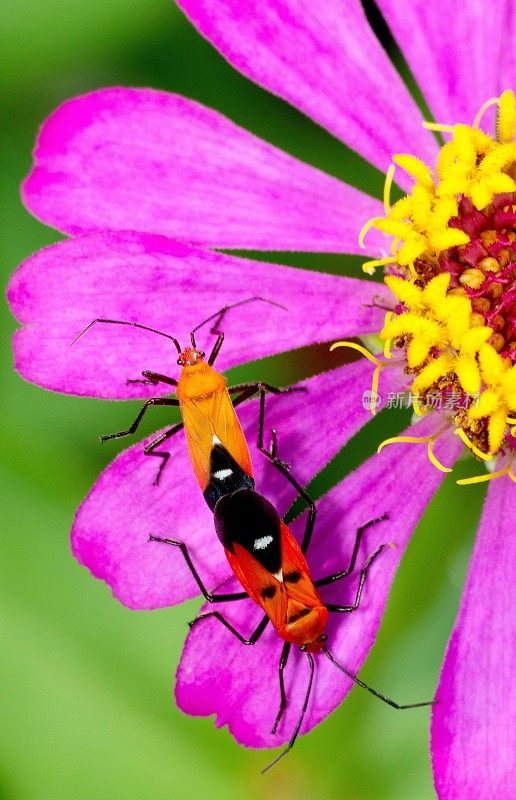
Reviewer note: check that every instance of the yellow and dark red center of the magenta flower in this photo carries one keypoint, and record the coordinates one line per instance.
(452, 272)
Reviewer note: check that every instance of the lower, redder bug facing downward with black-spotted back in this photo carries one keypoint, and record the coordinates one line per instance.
(272, 568)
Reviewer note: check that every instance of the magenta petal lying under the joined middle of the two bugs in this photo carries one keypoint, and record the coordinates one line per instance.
(111, 531)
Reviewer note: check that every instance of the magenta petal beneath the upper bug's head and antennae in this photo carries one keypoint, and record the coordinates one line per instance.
(170, 286)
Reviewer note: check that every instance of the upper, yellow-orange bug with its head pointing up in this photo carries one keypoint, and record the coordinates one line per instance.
(216, 444)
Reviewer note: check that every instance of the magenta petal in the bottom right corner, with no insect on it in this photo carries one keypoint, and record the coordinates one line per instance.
(474, 723)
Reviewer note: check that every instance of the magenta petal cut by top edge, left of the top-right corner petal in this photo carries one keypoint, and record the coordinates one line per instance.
(324, 59)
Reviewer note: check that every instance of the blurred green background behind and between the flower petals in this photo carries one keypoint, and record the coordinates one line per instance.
(86, 685)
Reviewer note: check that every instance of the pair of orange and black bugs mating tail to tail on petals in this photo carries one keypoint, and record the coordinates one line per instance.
(261, 550)
